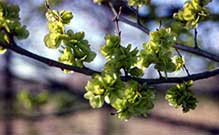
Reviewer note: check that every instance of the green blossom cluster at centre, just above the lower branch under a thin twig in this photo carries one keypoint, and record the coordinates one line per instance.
(119, 57)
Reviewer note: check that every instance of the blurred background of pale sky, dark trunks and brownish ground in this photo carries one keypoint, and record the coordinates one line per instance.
(36, 99)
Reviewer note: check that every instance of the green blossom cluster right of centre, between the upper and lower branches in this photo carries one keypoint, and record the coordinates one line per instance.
(158, 51)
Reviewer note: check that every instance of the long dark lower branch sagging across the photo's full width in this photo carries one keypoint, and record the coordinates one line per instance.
(88, 71)
